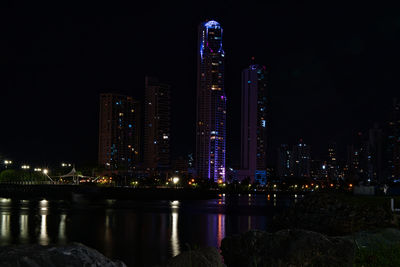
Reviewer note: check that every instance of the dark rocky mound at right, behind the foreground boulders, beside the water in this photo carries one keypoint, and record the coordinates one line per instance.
(336, 214)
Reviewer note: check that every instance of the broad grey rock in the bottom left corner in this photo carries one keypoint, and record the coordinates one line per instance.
(72, 255)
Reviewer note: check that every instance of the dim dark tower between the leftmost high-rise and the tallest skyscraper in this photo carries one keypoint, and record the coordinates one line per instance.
(157, 126)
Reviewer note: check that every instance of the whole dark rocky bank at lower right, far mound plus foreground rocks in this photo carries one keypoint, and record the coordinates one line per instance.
(320, 230)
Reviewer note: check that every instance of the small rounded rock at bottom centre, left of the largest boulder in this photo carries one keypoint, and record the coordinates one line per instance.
(202, 257)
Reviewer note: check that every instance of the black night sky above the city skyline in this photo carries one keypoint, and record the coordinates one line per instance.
(333, 69)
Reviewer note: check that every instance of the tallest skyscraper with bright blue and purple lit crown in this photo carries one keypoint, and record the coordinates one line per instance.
(211, 104)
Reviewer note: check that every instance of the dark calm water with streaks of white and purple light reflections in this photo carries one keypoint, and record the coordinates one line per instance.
(140, 233)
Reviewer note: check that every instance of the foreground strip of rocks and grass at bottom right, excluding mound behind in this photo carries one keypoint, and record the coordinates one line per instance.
(298, 248)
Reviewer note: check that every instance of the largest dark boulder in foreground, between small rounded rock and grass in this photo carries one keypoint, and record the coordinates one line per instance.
(287, 248)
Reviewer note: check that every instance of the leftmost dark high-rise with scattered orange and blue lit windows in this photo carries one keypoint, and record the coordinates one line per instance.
(119, 132)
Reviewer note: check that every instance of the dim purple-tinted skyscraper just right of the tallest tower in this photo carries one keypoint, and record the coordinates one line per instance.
(253, 123)
